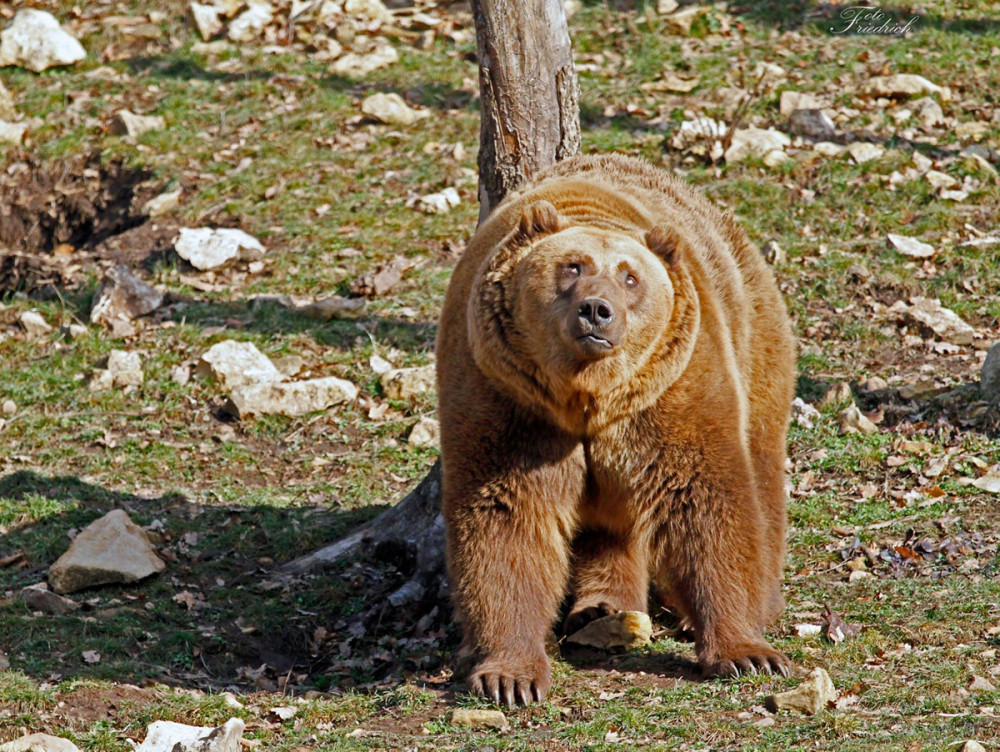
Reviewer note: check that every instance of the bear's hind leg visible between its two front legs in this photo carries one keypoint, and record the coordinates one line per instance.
(610, 574)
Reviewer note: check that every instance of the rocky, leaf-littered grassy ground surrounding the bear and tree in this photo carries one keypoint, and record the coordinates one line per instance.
(225, 234)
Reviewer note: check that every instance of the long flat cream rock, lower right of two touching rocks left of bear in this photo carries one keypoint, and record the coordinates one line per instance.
(291, 398)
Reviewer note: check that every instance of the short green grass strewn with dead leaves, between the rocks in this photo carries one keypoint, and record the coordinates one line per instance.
(231, 500)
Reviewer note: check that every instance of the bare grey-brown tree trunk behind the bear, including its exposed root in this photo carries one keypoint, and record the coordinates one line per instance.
(530, 101)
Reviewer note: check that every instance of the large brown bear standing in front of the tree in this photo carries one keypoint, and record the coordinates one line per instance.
(615, 373)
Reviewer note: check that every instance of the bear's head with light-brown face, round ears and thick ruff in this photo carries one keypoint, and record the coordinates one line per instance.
(582, 321)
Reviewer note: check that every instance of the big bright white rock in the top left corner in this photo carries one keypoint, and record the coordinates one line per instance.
(34, 40)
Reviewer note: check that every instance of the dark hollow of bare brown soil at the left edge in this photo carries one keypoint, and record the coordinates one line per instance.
(57, 218)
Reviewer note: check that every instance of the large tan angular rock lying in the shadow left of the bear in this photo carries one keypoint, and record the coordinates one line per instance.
(109, 550)
